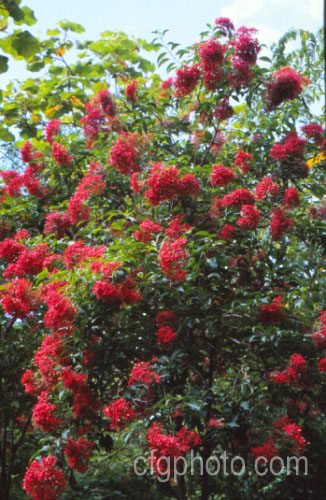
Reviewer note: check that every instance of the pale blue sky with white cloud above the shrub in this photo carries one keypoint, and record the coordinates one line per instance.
(184, 18)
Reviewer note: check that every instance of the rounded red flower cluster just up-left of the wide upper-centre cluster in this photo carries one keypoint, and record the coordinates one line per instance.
(124, 153)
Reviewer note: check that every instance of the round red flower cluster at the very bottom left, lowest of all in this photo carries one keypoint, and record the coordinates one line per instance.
(43, 480)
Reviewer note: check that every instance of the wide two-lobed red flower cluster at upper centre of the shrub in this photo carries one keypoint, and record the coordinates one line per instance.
(166, 183)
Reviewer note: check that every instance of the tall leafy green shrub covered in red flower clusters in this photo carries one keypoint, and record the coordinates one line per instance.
(162, 247)
